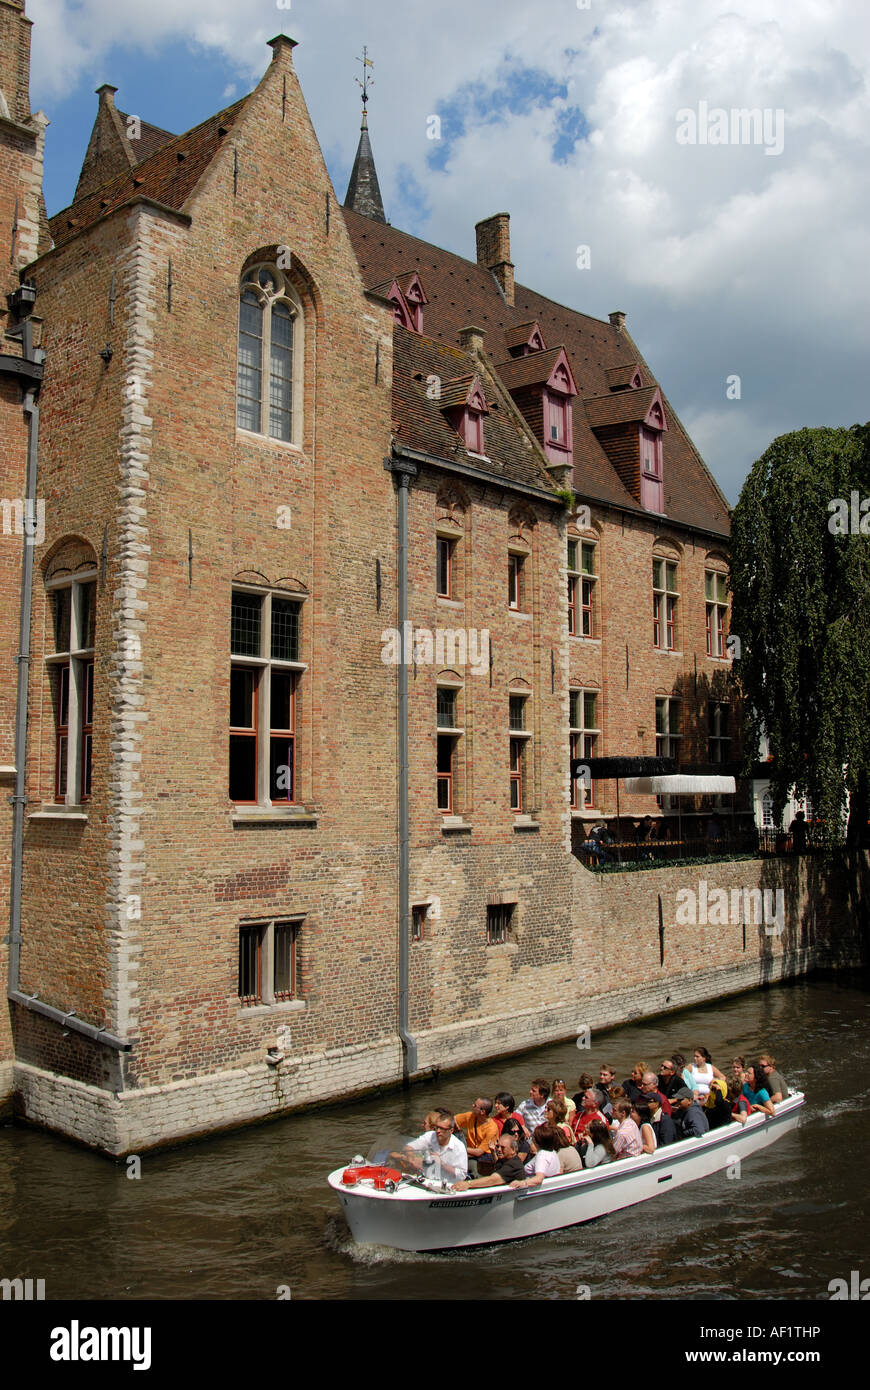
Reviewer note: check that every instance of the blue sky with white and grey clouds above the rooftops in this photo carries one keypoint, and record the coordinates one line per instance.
(744, 255)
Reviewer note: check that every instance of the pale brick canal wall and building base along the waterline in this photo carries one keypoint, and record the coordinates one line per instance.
(616, 976)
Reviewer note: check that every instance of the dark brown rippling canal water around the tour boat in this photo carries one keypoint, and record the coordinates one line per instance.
(245, 1214)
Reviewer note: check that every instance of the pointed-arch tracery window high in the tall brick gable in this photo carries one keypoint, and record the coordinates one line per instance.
(270, 363)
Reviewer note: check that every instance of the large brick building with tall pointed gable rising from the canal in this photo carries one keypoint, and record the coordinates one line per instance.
(279, 437)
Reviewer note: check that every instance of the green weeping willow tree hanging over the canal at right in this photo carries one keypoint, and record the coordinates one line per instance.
(801, 584)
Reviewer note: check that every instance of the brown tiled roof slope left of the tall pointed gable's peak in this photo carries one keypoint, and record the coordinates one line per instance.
(169, 176)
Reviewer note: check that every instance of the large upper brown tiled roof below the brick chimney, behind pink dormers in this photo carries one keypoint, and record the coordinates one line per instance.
(462, 293)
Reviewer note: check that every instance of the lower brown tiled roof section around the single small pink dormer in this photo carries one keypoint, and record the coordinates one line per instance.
(420, 422)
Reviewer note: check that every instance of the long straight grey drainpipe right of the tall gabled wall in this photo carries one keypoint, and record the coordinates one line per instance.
(404, 472)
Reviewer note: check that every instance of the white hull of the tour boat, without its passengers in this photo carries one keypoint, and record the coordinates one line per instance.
(384, 1207)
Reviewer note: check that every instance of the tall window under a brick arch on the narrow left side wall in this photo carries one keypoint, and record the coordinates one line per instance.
(70, 664)
